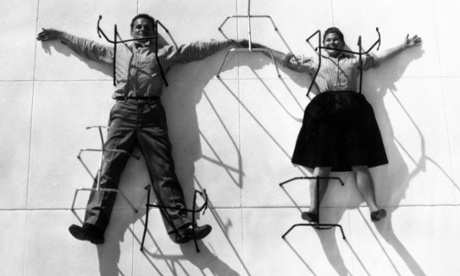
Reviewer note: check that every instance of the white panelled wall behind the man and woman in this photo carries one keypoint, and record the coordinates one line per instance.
(232, 136)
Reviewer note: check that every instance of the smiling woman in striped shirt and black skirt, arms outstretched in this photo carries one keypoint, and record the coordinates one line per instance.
(339, 131)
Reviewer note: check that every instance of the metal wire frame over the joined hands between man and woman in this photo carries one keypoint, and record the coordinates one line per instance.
(249, 49)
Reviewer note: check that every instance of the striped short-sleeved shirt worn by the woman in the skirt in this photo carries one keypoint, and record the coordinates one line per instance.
(335, 74)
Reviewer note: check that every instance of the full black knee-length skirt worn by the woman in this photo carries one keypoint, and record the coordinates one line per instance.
(339, 130)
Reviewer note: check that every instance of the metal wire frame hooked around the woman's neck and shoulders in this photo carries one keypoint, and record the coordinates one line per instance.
(360, 53)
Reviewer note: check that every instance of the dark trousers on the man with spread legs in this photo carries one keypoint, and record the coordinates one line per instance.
(143, 123)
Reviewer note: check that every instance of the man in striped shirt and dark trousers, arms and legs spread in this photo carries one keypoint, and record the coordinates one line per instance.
(138, 118)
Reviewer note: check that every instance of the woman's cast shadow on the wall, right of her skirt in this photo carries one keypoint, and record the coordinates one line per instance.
(392, 180)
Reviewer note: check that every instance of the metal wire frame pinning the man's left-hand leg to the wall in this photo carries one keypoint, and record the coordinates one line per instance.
(98, 174)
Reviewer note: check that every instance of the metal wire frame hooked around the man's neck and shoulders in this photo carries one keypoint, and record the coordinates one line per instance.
(115, 42)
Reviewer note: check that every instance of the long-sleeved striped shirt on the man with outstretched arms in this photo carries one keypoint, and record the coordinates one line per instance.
(137, 71)
